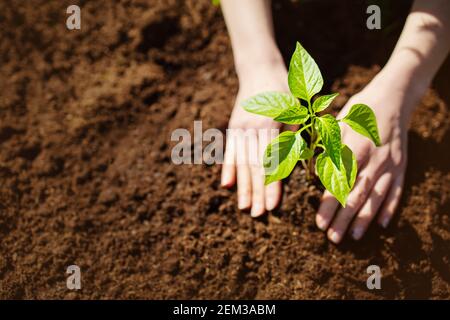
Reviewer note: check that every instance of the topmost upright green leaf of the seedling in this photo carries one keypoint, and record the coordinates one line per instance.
(304, 77)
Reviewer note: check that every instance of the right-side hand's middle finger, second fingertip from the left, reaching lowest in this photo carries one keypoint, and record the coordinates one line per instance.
(355, 200)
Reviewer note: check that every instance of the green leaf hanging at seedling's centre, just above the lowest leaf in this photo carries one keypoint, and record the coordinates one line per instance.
(330, 133)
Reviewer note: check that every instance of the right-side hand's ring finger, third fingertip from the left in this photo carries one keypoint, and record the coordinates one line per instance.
(370, 207)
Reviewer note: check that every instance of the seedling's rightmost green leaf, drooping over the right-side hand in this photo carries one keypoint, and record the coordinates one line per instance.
(362, 119)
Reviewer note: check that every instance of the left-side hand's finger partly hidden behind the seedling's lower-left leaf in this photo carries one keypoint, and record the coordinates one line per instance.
(272, 191)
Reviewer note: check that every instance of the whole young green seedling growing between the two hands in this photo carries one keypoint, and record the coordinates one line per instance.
(335, 164)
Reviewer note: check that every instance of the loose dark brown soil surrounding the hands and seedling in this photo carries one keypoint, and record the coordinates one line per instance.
(86, 176)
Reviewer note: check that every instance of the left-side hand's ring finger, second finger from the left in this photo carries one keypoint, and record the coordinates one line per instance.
(243, 174)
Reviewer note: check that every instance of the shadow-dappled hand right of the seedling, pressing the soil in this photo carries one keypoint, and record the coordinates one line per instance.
(381, 170)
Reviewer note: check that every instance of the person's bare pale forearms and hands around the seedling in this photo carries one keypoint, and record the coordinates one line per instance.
(393, 95)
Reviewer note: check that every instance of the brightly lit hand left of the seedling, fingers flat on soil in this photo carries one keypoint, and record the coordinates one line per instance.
(239, 165)
